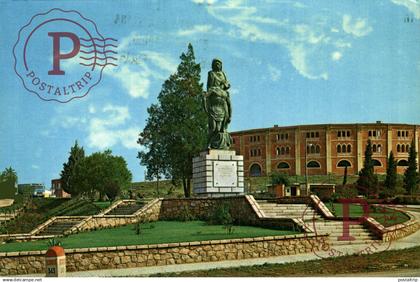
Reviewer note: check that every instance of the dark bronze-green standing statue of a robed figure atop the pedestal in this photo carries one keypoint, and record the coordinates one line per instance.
(218, 107)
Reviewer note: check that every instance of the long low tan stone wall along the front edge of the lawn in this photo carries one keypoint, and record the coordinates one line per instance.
(163, 254)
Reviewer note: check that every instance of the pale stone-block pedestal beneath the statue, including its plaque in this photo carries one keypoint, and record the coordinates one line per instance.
(218, 173)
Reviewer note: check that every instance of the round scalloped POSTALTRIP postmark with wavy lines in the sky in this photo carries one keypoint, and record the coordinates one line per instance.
(60, 55)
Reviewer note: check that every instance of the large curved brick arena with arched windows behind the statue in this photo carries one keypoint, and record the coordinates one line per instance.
(323, 149)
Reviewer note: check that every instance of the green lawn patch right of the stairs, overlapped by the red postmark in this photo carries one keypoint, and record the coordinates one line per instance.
(385, 216)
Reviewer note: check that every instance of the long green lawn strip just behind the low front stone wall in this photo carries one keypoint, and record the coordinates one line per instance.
(151, 233)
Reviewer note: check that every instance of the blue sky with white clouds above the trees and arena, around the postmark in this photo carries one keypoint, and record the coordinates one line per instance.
(289, 63)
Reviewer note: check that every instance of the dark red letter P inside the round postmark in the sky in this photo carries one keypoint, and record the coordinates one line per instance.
(57, 56)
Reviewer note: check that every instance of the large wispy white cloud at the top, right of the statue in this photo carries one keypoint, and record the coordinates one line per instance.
(308, 44)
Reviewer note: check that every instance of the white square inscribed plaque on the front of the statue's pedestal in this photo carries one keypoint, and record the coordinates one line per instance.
(225, 174)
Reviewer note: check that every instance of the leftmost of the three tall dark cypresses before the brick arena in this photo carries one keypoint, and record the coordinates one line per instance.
(368, 181)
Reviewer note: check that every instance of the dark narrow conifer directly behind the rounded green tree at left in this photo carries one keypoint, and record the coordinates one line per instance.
(77, 154)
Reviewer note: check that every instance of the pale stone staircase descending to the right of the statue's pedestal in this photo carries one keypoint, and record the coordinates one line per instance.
(317, 223)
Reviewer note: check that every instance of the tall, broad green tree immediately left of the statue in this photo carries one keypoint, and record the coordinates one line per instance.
(176, 129)
